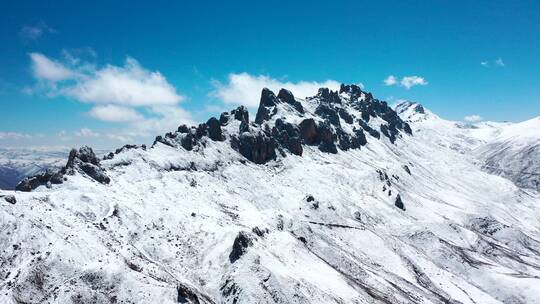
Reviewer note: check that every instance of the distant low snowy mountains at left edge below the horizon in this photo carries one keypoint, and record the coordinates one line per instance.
(17, 163)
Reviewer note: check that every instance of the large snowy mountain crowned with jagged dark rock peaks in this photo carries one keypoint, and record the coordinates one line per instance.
(333, 199)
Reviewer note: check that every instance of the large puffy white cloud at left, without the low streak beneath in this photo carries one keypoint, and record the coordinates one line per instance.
(129, 85)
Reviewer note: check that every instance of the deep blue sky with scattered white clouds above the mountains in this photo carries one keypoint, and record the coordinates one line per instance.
(107, 73)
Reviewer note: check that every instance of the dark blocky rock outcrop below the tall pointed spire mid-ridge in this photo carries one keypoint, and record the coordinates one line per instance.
(258, 148)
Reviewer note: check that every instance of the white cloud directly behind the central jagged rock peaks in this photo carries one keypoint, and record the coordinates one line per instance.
(245, 89)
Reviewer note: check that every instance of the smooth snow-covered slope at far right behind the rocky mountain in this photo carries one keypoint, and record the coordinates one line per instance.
(511, 150)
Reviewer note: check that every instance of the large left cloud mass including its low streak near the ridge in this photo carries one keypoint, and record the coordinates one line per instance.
(118, 92)
